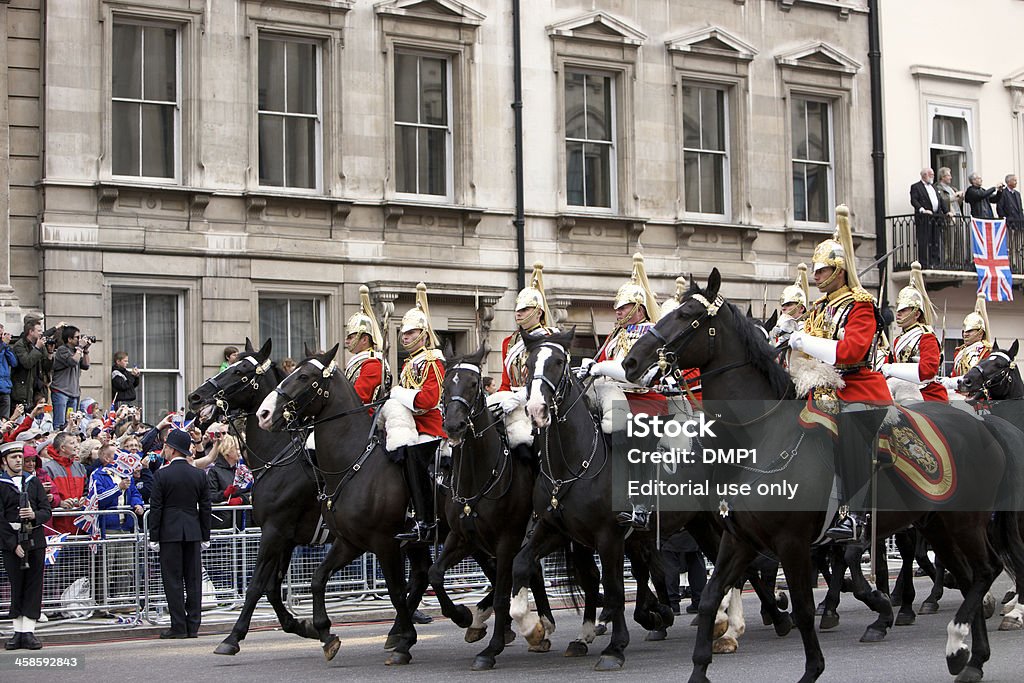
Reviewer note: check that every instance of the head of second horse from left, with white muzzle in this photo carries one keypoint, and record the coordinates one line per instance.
(301, 396)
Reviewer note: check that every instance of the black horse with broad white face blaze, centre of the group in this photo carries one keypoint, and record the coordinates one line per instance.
(573, 503)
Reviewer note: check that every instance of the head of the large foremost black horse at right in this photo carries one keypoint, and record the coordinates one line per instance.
(676, 340)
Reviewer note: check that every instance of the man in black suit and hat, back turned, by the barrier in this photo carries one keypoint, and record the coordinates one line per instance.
(180, 527)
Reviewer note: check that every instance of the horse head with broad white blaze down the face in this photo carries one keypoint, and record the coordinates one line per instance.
(548, 374)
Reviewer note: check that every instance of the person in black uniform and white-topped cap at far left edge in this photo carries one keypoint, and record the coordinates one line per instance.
(25, 509)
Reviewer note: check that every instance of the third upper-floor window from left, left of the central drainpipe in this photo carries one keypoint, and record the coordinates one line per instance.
(422, 124)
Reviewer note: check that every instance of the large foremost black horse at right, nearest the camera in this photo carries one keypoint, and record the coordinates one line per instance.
(737, 364)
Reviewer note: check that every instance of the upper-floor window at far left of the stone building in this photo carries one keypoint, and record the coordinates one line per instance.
(145, 101)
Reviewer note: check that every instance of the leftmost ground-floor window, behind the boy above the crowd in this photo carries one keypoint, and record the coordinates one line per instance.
(148, 327)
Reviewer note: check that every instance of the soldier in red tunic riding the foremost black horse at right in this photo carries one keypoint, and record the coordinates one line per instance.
(842, 331)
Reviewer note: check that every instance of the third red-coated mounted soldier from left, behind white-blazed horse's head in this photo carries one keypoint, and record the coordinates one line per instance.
(533, 318)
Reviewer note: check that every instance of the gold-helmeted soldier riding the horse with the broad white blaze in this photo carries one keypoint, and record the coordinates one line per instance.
(636, 314)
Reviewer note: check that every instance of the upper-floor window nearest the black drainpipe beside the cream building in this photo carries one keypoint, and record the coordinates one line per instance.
(813, 161)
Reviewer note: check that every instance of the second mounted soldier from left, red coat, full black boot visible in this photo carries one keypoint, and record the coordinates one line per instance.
(413, 418)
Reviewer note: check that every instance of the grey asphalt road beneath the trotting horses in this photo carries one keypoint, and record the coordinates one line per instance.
(910, 655)
